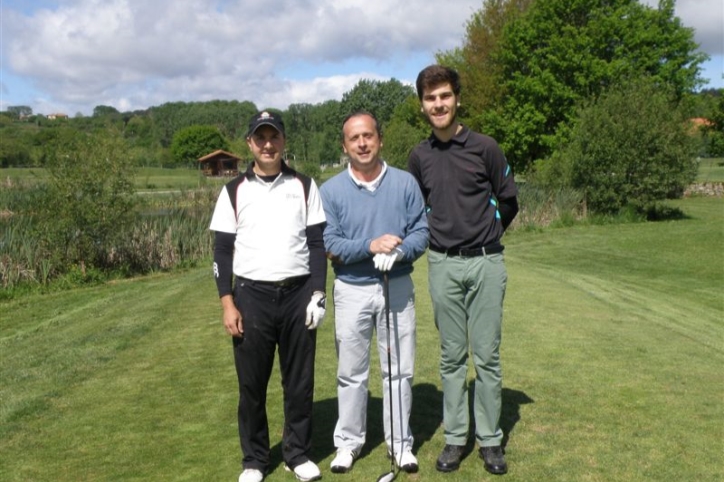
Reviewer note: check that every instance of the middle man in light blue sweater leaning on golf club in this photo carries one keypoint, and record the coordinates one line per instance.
(376, 223)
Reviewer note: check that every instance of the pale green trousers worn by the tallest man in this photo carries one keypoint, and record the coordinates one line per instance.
(467, 296)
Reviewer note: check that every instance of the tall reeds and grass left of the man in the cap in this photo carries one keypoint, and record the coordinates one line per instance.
(168, 232)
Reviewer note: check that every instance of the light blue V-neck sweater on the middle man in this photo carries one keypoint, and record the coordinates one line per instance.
(356, 216)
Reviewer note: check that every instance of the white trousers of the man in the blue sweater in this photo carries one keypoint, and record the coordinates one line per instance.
(360, 310)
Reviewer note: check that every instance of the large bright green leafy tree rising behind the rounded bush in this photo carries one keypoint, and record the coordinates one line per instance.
(559, 53)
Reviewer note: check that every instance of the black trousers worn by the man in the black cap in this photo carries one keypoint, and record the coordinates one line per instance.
(274, 316)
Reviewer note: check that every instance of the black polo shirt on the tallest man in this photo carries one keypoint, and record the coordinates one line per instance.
(463, 181)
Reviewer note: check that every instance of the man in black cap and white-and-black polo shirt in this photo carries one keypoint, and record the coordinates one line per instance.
(269, 223)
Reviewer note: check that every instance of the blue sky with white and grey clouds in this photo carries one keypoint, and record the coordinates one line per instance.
(70, 56)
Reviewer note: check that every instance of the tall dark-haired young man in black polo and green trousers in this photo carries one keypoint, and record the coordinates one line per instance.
(471, 199)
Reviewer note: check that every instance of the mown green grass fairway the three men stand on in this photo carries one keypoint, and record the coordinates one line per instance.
(612, 353)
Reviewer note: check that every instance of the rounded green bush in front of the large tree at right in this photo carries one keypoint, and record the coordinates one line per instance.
(633, 146)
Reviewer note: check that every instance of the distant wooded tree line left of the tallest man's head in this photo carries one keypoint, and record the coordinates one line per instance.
(176, 134)
